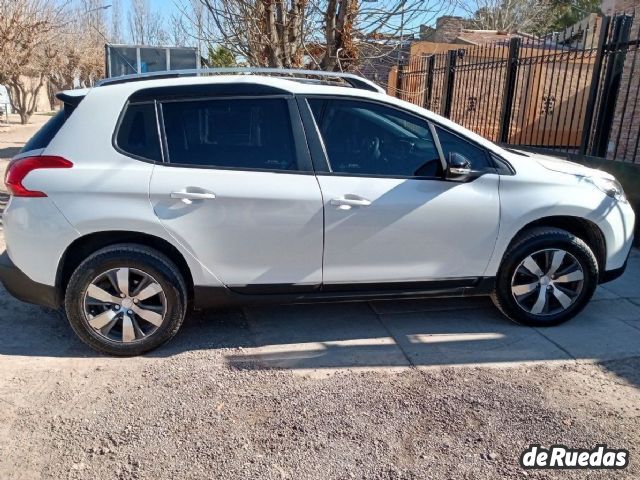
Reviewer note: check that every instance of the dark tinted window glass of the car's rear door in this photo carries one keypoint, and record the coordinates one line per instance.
(235, 133)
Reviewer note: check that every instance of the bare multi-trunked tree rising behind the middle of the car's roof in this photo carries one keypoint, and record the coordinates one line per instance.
(317, 33)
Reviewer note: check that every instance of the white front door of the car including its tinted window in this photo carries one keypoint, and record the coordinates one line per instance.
(390, 214)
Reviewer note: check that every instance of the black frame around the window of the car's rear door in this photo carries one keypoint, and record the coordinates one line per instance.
(301, 152)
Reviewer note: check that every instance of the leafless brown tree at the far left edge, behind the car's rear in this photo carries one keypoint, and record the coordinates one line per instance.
(27, 31)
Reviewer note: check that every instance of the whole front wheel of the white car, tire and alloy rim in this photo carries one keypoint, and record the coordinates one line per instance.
(546, 278)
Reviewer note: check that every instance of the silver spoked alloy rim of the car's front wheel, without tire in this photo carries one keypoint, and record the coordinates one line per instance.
(547, 282)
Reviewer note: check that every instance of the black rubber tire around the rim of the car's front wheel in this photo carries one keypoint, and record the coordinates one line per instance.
(536, 240)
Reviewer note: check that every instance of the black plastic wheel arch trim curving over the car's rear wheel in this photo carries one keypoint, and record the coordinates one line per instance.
(84, 246)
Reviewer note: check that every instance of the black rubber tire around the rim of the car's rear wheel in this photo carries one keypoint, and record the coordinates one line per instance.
(143, 259)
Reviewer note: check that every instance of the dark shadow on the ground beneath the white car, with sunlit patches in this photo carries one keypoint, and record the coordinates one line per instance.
(356, 336)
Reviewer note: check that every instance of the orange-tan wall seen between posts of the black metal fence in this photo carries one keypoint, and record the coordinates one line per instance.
(549, 99)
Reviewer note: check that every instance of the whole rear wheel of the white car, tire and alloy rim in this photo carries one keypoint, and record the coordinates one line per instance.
(126, 300)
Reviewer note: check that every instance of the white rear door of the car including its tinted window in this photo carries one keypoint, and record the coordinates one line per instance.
(237, 189)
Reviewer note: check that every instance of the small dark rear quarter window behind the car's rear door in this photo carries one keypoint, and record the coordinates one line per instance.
(138, 132)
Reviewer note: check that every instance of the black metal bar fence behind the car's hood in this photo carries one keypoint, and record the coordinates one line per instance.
(577, 91)
